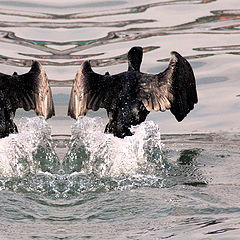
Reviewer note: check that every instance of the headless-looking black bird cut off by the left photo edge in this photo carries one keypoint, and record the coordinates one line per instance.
(28, 91)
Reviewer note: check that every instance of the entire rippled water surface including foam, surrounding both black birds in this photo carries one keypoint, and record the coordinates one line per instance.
(67, 180)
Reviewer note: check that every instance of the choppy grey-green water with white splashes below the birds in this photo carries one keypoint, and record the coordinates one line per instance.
(78, 192)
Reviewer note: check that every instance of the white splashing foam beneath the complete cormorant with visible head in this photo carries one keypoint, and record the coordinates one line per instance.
(109, 156)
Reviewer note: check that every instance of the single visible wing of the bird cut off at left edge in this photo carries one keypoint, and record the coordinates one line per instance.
(28, 91)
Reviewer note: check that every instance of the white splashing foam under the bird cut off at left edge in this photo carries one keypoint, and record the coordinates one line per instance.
(16, 150)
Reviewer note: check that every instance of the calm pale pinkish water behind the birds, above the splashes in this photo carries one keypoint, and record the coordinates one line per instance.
(61, 40)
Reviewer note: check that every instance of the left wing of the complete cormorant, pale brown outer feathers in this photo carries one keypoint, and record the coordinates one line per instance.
(92, 91)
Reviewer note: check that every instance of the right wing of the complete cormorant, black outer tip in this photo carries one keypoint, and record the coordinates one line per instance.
(173, 89)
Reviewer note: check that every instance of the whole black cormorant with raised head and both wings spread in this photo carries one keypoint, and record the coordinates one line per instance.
(129, 96)
